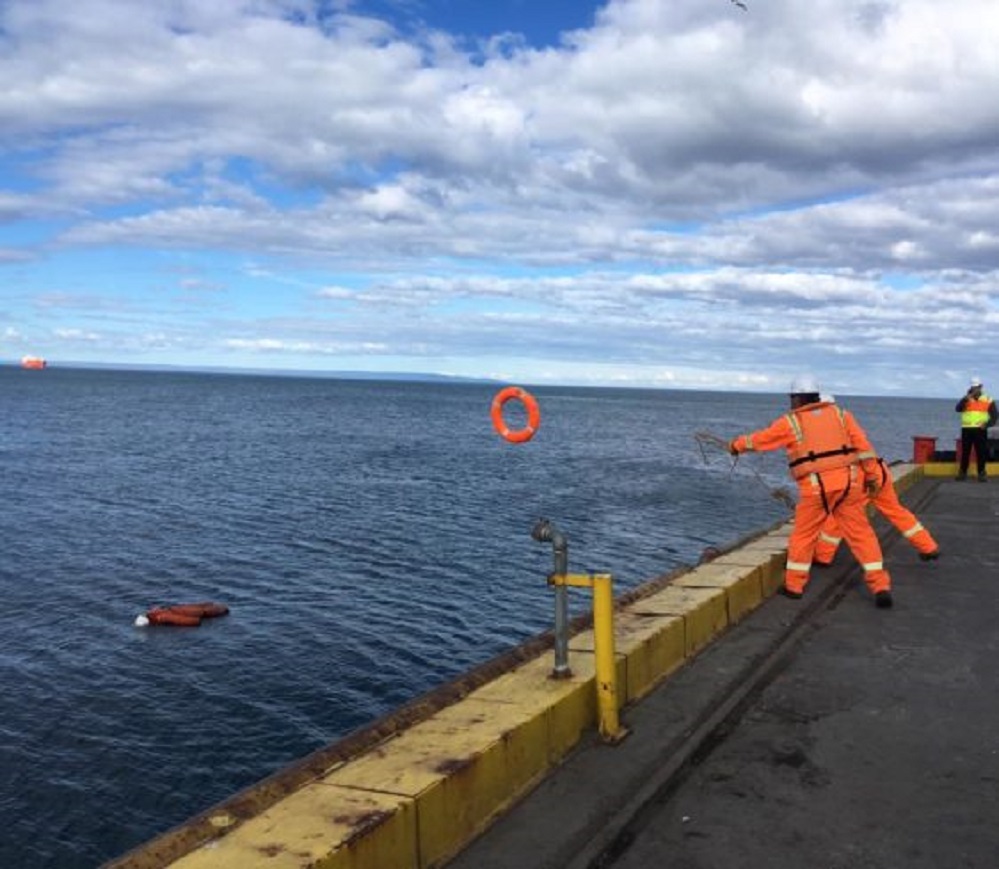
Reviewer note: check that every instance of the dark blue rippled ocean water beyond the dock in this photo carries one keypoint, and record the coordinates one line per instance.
(372, 540)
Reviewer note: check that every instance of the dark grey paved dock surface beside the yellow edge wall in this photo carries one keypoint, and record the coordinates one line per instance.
(816, 733)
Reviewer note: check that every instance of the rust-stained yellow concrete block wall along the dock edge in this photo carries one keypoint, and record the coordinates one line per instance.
(417, 798)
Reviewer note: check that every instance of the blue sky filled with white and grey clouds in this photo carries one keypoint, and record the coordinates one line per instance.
(688, 194)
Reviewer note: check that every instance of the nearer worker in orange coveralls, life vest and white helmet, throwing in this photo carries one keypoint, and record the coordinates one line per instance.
(836, 469)
